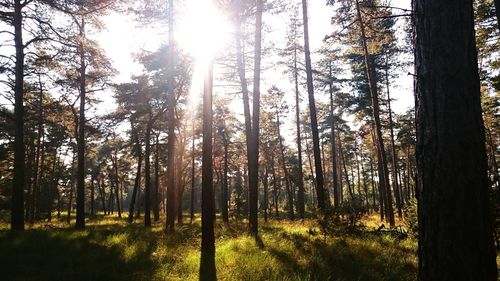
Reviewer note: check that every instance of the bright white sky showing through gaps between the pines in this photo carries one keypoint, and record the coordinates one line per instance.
(122, 38)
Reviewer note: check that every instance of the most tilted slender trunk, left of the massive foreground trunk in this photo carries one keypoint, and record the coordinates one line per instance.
(382, 159)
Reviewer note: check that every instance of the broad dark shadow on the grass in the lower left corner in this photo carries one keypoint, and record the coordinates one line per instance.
(69, 255)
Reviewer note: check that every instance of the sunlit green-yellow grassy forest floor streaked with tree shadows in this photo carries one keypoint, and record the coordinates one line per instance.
(110, 249)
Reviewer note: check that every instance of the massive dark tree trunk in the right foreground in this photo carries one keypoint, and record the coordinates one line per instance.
(455, 228)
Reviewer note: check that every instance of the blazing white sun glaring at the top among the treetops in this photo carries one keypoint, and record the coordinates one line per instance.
(202, 29)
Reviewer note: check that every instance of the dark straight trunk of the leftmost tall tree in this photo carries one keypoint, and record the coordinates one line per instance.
(18, 182)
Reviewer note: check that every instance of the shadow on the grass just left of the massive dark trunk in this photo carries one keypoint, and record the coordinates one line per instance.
(359, 258)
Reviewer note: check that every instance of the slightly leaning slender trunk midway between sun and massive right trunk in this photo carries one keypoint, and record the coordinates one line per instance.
(320, 193)
